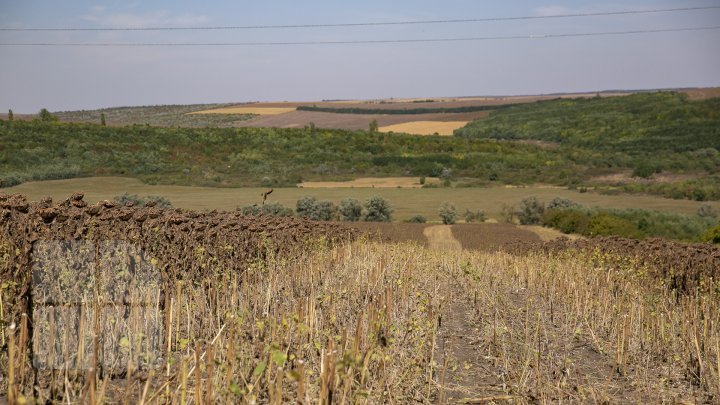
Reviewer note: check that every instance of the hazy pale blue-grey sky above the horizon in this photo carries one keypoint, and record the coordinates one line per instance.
(72, 78)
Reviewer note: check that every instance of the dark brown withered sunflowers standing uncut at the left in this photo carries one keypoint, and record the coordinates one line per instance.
(185, 244)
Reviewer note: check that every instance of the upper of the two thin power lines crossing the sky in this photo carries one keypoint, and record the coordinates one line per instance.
(373, 24)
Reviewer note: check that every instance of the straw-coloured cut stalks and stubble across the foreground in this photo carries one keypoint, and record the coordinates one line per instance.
(374, 323)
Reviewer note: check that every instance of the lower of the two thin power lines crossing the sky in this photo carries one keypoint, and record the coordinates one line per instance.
(378, 41)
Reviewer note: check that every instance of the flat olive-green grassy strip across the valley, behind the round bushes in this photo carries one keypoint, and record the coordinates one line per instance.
(407, 202)
